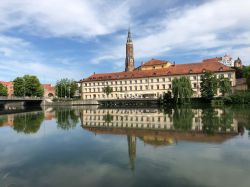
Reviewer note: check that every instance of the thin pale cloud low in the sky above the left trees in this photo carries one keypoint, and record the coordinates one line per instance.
(18, 57)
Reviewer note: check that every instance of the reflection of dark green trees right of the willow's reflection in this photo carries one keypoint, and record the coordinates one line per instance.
(212, 122)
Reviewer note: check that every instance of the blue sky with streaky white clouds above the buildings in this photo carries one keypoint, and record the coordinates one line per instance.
(56, 39)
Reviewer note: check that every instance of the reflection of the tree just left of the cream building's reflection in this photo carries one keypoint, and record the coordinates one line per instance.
(66, 119)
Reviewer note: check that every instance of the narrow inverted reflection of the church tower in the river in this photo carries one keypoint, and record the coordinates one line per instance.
(132, 150)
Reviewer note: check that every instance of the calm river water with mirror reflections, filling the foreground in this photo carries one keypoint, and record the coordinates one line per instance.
(126, 147)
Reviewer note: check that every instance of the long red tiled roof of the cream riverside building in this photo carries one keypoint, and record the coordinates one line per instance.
(212, 64)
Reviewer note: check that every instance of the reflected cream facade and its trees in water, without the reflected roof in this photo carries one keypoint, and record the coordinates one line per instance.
(204, 121)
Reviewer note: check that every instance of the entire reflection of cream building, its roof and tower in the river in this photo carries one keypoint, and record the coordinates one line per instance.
(157, 129)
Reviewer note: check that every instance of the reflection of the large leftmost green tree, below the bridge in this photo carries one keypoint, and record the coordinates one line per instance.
(28, 122)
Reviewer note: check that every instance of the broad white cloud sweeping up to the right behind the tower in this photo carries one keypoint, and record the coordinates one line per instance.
(215, 24)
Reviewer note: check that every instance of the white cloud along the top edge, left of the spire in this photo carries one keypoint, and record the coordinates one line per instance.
(81, 18)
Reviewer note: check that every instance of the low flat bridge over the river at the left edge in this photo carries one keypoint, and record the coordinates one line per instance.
(15, 102)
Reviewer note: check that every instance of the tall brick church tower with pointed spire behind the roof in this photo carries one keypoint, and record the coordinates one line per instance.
(129, 61)
